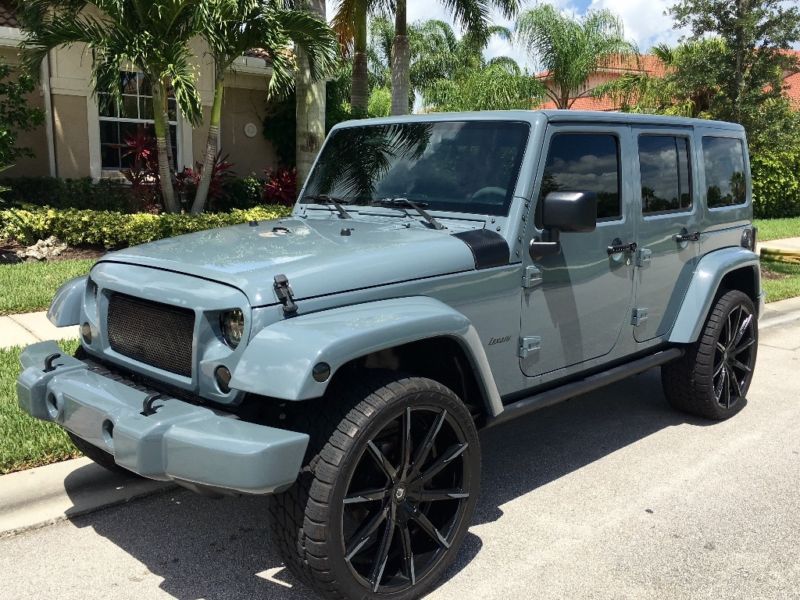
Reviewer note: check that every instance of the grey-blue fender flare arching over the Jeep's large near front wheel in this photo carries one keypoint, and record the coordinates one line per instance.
(278, 361)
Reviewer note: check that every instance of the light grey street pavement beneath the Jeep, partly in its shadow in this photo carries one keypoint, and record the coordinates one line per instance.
(611, 495)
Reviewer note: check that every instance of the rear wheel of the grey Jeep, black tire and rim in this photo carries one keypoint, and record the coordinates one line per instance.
(712, 378)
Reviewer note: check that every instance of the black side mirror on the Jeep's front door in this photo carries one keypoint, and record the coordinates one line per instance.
(564, 211)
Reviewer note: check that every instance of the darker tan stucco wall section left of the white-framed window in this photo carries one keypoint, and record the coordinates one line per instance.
(70, 129)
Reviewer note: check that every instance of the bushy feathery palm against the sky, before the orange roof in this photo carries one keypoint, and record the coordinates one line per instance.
(569, 49)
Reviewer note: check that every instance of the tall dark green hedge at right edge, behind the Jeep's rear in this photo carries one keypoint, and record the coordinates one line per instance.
(776, 182)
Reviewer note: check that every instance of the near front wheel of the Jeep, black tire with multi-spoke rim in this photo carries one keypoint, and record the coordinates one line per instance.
(320, 525)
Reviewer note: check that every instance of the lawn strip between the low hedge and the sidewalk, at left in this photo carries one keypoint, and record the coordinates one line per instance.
(30, 286)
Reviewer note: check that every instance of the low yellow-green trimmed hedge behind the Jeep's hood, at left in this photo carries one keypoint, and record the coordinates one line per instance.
(118, 230)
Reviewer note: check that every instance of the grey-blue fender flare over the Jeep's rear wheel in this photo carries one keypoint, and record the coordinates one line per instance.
(699, 298)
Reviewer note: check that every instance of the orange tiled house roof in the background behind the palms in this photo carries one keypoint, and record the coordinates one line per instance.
(645, 63)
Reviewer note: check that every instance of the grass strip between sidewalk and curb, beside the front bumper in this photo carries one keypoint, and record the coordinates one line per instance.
(26, 442)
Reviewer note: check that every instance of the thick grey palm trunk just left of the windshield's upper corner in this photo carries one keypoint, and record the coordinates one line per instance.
(309, 108)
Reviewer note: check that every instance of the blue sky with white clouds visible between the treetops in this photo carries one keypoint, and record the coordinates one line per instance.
(644, 20)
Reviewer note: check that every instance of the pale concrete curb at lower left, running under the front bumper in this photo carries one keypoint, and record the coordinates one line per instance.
(45, 495)
